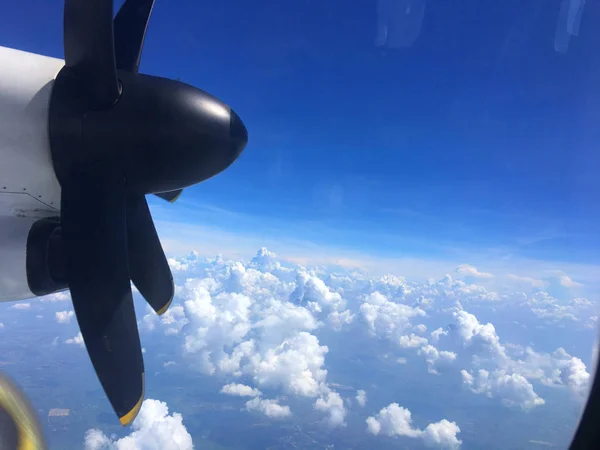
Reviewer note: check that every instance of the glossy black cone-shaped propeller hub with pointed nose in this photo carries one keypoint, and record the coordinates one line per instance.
(162, 134)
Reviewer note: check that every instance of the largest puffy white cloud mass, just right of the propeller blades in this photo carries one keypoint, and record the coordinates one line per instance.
(237, 320)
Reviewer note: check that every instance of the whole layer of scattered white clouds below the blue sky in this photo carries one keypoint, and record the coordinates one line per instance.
(262, 327)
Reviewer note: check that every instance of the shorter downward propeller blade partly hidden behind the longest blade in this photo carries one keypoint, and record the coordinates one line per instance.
(148, 264)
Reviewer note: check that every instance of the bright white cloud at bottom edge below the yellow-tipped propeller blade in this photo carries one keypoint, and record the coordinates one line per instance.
(153, 428)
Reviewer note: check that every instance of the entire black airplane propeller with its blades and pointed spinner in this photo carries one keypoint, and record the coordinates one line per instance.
(115, 136)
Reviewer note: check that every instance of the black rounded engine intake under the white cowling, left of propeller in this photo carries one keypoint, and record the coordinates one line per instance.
(45, 262)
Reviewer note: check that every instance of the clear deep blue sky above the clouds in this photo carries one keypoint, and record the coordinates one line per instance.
(478, 136)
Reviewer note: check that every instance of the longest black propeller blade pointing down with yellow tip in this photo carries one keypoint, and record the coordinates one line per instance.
(94, 232)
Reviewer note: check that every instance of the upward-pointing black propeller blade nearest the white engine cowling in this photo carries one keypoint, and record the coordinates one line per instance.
(89, 48)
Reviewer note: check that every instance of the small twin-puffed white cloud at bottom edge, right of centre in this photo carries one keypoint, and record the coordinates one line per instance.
(394, 420)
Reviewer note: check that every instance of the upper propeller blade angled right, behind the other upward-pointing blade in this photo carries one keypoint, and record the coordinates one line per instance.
(130, 26)
